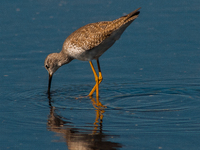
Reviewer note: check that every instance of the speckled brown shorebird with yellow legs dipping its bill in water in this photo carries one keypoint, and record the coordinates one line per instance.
(87, 43)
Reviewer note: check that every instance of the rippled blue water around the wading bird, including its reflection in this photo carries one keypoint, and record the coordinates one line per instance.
(151, 78)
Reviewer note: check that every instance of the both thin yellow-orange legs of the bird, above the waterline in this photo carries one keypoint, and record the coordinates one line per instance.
(97, 79)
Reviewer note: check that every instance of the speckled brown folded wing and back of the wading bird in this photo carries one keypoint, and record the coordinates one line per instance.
(91, 35)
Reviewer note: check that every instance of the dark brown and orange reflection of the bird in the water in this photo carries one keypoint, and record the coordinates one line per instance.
(76, 138)
